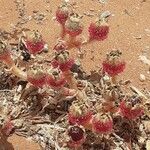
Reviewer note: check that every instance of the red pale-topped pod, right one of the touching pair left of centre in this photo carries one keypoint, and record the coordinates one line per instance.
(55, 79)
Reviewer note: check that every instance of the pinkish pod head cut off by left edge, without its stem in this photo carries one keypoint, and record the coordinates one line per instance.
(4, 53)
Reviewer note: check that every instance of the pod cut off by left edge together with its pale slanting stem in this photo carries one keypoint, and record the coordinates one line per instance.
(5, 57)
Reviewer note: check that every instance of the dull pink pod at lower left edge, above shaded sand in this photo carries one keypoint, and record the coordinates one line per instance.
(7, 128)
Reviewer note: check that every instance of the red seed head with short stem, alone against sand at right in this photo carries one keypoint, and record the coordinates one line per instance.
(113, 65)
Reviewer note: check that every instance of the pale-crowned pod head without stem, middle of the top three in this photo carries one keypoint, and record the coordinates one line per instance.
(73, 25)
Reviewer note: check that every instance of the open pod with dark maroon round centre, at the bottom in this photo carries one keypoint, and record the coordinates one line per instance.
(76, 135)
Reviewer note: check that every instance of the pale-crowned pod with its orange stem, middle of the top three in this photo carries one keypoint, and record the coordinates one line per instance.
(74, 28)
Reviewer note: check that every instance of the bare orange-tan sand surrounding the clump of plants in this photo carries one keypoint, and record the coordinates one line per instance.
(130, 32)
